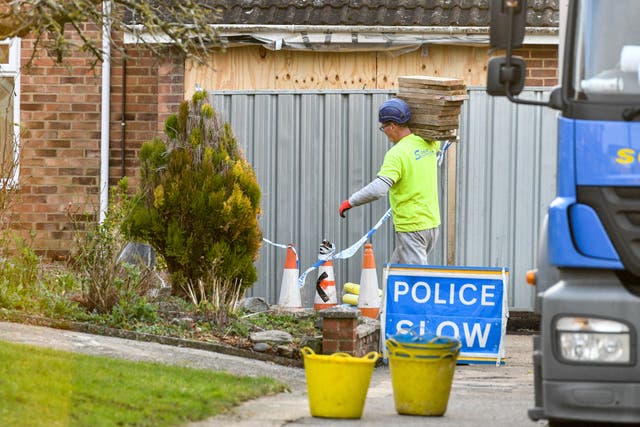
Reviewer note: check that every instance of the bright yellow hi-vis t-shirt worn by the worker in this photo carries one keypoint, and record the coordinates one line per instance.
(412, 165)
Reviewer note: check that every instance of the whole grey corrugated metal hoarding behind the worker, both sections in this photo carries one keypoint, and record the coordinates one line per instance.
(311, 150)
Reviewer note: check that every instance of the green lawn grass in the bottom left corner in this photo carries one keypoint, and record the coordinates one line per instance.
(42, 387)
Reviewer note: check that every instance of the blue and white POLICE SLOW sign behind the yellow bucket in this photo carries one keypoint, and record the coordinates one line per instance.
(468, 303)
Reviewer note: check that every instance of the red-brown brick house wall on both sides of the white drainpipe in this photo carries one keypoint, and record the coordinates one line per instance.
(60, 115)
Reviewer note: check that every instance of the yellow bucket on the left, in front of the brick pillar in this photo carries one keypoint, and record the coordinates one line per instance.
(337, 384)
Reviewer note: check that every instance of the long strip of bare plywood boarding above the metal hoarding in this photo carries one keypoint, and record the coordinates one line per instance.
(257, 68)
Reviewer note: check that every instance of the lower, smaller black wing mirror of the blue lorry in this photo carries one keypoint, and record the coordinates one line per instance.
(504, 72)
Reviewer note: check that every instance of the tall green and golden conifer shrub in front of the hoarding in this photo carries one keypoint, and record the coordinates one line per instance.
(198, 203)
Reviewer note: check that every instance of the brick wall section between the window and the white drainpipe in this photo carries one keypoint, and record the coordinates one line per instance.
(59, 162)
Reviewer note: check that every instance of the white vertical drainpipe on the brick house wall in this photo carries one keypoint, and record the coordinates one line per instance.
(106, 106)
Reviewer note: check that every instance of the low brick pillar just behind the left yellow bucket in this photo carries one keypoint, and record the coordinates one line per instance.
(339, 330)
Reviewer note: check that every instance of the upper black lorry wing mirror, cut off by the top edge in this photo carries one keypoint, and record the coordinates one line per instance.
(508, 19)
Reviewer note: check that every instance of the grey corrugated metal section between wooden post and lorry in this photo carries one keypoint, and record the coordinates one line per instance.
(506, 179)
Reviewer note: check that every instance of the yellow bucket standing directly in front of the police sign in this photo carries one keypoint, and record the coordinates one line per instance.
(421, 378)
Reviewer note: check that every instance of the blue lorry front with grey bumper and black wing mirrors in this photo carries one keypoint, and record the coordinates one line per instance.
(587, 277)
